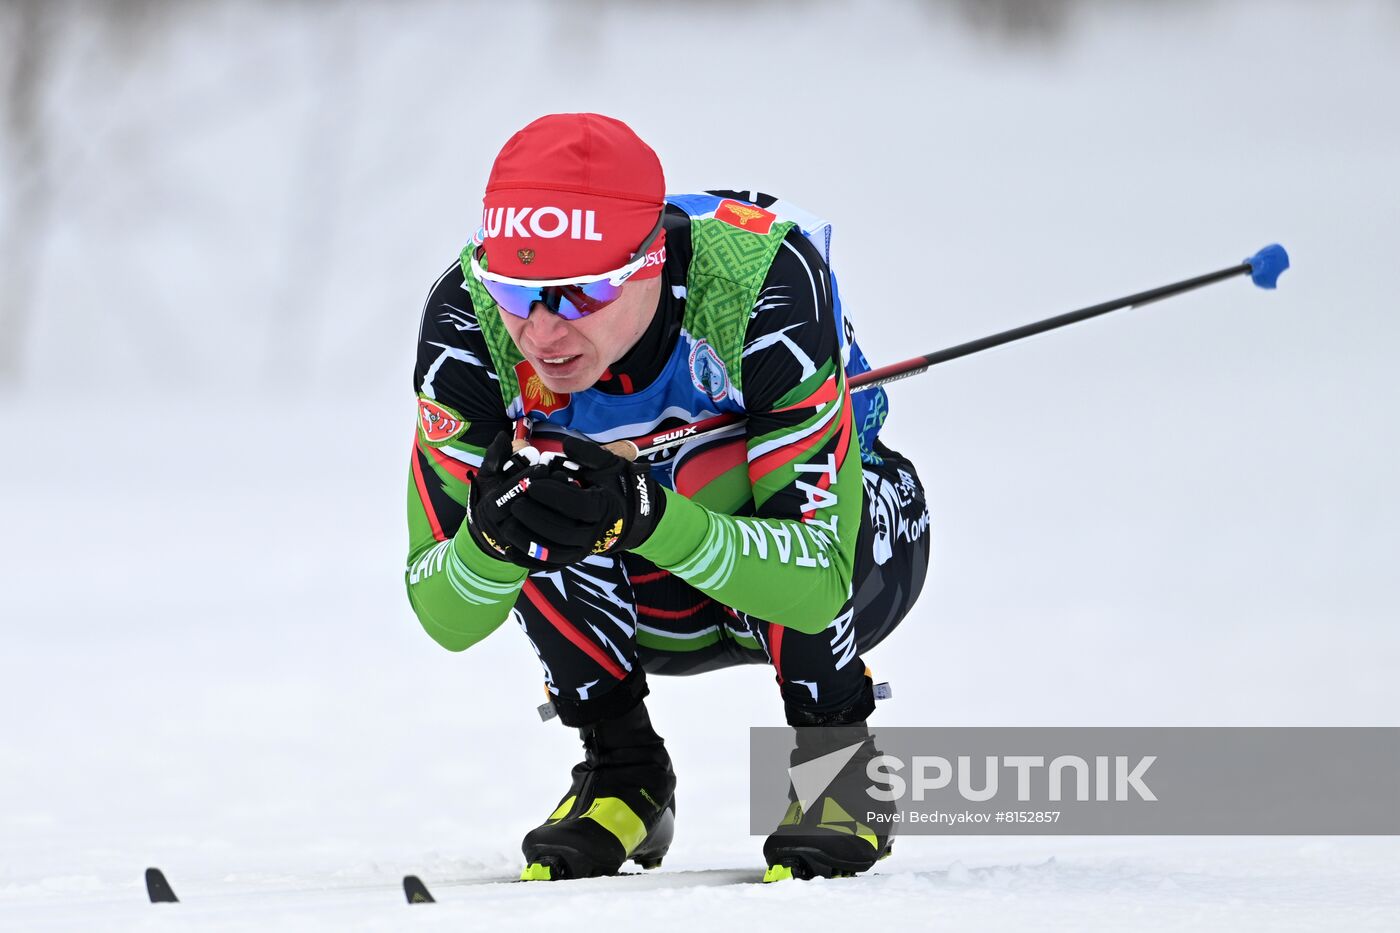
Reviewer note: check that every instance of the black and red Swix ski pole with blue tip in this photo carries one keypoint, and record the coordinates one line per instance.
(1263, 268)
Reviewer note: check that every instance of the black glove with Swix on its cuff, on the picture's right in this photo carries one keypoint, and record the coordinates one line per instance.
(591, 502)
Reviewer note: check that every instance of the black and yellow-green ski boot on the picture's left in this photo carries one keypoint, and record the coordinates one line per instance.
(621, 805)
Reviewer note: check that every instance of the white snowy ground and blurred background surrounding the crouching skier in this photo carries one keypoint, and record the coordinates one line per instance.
(219, 225)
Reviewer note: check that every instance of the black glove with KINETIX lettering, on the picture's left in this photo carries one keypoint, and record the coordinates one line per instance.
(502, 481)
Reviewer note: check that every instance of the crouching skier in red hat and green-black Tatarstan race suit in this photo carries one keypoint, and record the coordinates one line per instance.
(591, 307)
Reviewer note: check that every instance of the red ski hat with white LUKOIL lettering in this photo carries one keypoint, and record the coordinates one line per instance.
(573, 195)
